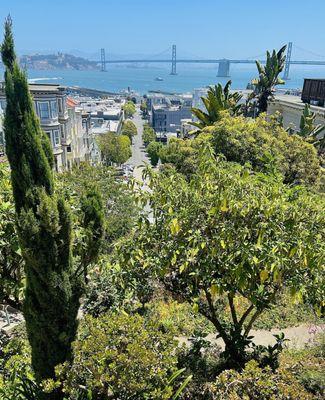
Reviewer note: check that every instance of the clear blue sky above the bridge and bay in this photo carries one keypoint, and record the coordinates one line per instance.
(215, 28)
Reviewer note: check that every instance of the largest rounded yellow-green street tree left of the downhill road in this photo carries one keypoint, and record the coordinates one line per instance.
(114, 148)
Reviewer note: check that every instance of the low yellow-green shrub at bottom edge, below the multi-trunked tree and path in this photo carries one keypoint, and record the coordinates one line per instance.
(255, 383)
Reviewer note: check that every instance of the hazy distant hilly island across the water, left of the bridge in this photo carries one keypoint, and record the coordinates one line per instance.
(56, 61)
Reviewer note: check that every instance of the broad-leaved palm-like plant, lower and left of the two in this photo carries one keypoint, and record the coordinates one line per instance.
(218, 99)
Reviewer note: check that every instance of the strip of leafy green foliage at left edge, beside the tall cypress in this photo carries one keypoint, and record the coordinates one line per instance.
(11, 261)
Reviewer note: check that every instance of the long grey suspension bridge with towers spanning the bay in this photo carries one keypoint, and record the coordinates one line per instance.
(223, 64)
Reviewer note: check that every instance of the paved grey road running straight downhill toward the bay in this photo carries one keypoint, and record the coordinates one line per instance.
(139, 156)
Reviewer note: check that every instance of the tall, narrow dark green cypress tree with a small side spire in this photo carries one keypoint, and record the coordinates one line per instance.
(53, 277)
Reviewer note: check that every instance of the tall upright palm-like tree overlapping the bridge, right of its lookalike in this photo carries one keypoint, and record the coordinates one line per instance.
(269, 77)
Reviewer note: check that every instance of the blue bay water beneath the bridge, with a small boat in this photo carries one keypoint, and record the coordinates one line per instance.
(143, 79)
